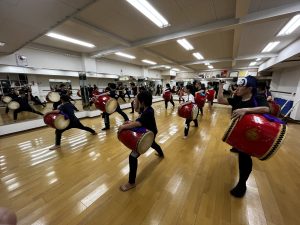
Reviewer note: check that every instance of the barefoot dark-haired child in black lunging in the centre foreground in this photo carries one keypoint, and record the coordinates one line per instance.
(147, 120)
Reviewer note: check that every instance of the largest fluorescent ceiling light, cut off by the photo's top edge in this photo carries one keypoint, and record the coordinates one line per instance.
(150, 12)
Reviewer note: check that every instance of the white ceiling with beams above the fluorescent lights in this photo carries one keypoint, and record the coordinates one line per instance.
(228, 33)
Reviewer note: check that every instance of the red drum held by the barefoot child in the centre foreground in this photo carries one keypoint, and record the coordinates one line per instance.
(137, 139)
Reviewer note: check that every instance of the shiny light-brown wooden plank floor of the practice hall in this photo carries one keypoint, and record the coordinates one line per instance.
(80, 183)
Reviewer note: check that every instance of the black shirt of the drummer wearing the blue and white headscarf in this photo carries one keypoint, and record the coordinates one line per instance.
(237, 103)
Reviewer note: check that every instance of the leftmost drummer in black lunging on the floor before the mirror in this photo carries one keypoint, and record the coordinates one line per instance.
(67, 109)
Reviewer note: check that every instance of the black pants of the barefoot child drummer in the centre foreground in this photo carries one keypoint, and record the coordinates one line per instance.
(133, 161)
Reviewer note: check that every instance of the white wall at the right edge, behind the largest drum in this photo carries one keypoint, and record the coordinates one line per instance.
(287, 80)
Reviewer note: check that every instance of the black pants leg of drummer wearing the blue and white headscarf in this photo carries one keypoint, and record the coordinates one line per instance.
(245, 167)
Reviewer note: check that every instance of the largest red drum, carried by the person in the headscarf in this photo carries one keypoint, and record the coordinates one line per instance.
(255, 135)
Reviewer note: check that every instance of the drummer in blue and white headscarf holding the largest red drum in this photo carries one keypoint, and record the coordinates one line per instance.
(244, 102)
